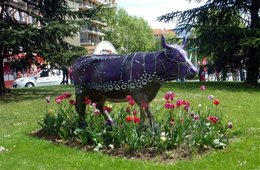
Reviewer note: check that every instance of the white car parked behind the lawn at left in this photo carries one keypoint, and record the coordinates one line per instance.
(43, 78)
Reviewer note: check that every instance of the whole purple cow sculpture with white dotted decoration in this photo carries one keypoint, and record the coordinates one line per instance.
(113, 77)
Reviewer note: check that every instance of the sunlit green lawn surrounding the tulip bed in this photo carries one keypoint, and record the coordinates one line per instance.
(21, 109)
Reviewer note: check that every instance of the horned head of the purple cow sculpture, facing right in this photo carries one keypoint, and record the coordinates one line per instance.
(177, 63)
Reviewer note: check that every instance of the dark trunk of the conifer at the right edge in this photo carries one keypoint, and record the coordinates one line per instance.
(253, 62)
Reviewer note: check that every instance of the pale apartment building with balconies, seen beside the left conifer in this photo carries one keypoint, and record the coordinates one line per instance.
(90, 34)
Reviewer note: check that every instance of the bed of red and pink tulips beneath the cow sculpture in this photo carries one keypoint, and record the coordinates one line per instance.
(181, 126)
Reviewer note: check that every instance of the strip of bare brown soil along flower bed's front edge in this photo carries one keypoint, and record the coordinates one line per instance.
(147, 154)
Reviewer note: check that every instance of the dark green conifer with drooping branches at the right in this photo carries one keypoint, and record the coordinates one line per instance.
(229, 30)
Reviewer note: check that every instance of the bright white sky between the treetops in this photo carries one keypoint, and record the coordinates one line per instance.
(151, 9)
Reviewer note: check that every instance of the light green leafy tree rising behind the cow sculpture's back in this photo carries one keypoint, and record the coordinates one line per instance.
(128, 33)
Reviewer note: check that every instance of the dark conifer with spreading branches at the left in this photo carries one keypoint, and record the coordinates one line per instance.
(52, 22)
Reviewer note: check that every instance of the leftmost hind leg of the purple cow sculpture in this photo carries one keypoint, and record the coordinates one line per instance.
(81, 109)
